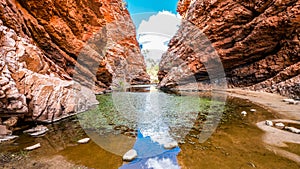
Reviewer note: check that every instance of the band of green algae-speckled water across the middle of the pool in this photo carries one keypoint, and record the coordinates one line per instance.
(132, 109)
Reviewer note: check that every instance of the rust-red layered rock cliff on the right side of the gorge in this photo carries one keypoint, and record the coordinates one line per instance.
(257, 42)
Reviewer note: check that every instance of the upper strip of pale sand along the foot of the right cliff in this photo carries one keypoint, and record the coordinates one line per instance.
(272, 102)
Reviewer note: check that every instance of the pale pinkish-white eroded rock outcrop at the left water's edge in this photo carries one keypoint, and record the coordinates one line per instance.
(27, 91)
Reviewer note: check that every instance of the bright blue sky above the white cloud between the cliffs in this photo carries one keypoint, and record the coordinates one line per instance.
(143, 9)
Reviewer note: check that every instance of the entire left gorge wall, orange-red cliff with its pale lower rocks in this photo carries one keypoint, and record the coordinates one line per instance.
(55, 54)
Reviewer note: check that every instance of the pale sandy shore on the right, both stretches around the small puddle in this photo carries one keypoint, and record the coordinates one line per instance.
(274, 138)
